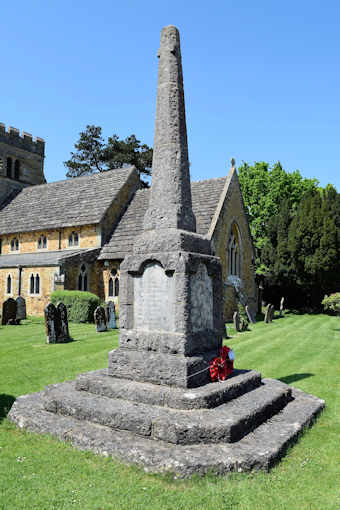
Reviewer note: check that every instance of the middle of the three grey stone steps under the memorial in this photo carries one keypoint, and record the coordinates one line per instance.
(225, 423)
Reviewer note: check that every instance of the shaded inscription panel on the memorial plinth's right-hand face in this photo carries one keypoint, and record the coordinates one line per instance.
(201, 300)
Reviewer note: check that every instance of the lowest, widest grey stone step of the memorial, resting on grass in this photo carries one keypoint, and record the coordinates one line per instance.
(260, 449)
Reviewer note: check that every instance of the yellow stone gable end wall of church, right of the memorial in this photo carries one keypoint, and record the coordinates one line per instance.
(233, 212)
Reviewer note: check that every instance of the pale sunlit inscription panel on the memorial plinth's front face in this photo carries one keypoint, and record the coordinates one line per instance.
(154, 299)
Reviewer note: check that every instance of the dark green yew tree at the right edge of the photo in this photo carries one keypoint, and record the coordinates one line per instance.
(304, 250)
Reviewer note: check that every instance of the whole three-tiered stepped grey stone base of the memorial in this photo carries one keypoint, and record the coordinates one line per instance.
(241, 424)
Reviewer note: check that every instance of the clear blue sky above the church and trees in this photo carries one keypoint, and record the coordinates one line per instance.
(262, 79)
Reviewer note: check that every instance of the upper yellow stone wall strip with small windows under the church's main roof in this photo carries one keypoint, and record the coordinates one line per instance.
(89, 237)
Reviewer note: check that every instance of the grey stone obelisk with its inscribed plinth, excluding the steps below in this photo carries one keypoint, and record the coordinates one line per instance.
(171, 287)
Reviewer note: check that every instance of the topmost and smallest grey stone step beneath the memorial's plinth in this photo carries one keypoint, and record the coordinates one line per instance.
(207, 396)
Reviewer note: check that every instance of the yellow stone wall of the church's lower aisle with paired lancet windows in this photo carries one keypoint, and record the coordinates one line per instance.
(36, 303)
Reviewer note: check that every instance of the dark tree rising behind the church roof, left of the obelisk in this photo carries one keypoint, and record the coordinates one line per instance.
(94, 155)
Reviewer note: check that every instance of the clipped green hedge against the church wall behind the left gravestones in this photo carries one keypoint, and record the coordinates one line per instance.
(80, 305)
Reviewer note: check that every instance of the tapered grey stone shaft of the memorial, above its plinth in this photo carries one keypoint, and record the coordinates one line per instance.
(170, 202)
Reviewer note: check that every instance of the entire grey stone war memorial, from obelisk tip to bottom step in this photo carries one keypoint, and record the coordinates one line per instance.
(155, 404)
